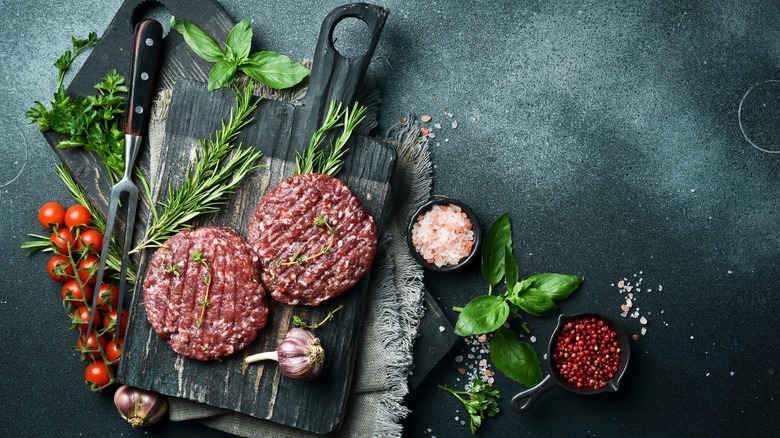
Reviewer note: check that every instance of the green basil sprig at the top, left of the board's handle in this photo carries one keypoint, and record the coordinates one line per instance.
(269, 68)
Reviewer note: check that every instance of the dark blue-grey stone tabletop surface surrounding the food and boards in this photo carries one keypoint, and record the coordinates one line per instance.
(609, 132)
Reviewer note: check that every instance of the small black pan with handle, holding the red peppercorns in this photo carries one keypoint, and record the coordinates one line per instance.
(555, 379)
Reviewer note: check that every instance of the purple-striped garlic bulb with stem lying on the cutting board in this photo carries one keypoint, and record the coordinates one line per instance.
(300, 355)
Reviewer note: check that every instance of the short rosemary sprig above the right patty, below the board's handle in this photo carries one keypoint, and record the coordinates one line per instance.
(314, 160)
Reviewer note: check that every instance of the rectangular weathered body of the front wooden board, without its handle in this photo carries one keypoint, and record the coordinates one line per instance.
(258, 389)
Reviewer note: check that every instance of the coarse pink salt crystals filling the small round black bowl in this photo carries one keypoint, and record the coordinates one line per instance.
(443, 235)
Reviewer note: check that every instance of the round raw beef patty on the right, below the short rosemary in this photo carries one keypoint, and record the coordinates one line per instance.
(306, 261)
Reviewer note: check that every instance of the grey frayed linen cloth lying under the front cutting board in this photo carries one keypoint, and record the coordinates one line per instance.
(394, 310)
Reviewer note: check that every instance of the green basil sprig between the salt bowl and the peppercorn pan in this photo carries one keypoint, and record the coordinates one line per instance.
(535, 295)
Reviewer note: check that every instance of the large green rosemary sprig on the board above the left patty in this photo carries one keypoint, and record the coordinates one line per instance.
(210, 179)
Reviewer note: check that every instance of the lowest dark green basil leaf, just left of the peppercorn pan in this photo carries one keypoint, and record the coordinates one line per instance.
(516, 359)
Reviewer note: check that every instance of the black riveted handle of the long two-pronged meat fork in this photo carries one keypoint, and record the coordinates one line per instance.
(147, 48)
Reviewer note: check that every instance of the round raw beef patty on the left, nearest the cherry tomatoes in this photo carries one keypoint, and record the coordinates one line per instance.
(175, 293)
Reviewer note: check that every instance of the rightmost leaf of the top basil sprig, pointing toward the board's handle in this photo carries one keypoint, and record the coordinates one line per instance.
(273, 69)
